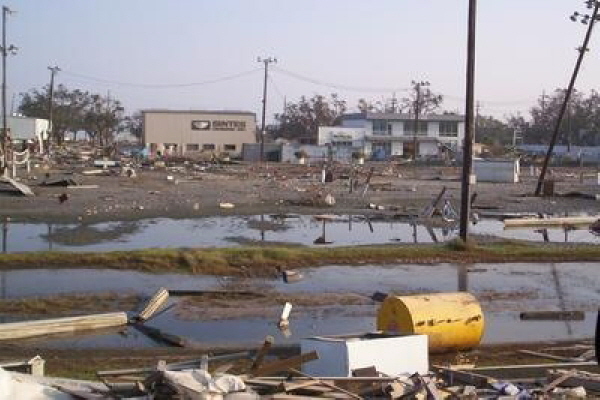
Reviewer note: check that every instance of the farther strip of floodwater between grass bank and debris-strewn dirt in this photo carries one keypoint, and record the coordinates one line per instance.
(226, 231)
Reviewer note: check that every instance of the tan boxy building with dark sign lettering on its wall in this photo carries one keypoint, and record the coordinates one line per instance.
(189, 133)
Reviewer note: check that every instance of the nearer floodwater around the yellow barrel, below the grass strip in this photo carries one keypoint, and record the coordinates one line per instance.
(504, 290)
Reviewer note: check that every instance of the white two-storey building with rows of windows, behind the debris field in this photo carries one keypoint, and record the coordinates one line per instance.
(382, 135)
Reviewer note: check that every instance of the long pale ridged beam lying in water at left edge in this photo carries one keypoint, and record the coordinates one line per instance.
(27, 329)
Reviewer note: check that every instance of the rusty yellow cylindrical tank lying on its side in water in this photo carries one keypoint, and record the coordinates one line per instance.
(453, 321)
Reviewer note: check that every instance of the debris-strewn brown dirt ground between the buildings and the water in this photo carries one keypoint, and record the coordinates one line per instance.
(187, 191)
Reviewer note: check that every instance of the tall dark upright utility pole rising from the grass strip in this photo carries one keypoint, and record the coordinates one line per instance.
(465, 206)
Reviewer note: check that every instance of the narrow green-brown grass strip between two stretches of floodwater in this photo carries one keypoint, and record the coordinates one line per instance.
(262, 261)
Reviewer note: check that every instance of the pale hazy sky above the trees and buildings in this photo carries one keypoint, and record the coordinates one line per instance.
(139, 51)
